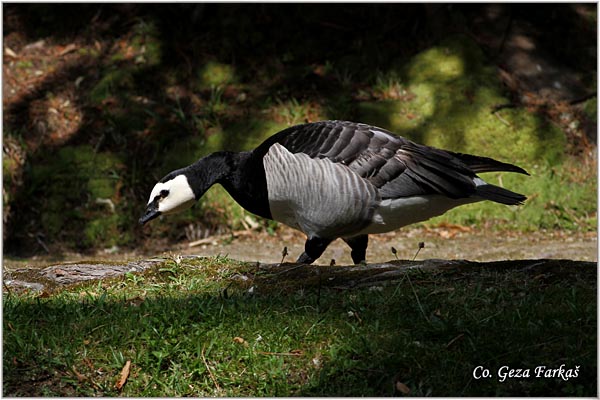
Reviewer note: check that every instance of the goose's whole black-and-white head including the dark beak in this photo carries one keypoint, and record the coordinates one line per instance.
(171, 194)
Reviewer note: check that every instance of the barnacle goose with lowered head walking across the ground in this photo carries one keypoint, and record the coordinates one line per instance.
(337, 179)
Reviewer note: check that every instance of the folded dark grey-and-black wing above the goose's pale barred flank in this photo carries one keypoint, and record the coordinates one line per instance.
(394, 165)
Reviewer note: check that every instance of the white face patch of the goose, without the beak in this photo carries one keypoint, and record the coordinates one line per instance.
(174, 195)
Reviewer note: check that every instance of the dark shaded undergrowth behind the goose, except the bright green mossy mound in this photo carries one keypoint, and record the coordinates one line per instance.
(100, 101)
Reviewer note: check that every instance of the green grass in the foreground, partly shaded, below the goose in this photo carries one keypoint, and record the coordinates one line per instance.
(197, 328)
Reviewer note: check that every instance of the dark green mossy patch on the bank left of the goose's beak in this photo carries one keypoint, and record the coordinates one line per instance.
(68, 184)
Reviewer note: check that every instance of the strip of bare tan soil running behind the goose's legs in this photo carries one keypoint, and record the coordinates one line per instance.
(442, 242)
